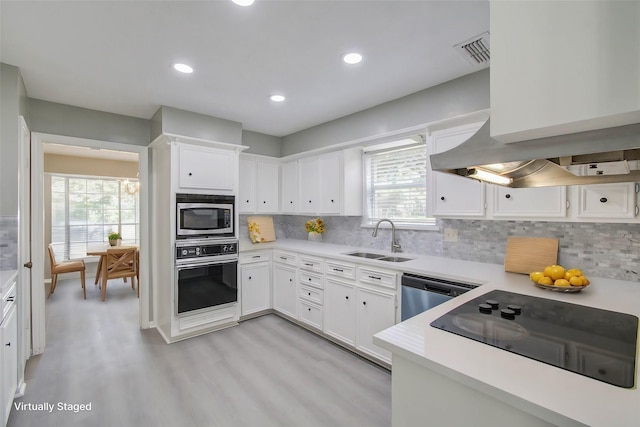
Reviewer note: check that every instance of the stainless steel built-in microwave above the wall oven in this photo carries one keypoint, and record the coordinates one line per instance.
(199, 215)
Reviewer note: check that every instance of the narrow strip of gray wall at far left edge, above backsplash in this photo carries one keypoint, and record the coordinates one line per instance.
(13, 103)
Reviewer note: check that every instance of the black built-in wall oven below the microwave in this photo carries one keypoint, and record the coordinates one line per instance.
(206, 275)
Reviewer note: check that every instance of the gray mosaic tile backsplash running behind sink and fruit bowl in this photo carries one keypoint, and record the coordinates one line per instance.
(599, 249)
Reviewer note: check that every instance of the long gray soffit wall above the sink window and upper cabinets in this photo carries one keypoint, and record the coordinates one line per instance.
(454, 98)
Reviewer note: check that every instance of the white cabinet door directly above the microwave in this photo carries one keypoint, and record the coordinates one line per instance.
(204, 168)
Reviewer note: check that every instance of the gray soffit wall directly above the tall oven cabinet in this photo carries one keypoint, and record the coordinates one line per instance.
(187, 123)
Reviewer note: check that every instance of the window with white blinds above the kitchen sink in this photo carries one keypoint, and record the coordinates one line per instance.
(396, 184)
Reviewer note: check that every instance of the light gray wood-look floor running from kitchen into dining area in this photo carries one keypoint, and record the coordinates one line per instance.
(265, 372)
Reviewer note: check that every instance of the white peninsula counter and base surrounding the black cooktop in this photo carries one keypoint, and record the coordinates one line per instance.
(497, 386)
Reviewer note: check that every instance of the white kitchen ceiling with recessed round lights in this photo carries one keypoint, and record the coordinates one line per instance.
(116, 56)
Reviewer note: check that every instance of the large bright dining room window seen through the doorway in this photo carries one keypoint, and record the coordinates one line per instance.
(84, 210)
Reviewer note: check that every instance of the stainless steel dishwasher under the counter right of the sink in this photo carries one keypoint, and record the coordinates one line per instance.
(420, 293)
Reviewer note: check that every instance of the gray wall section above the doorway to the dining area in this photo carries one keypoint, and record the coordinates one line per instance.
(61, 119)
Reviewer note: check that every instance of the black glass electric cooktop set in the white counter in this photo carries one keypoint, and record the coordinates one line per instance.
(599, 344)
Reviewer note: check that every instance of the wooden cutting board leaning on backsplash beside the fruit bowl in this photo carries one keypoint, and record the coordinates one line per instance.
(528, 254)
